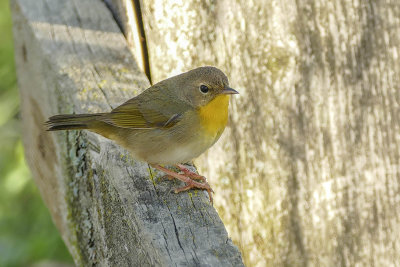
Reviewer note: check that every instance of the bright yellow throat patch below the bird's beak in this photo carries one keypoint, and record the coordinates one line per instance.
(214, 115)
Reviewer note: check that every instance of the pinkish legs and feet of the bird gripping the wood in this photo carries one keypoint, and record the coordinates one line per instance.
(186, 177)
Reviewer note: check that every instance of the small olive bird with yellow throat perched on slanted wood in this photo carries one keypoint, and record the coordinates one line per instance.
(171, 122)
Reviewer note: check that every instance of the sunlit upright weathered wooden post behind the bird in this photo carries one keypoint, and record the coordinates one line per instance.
(308, 171)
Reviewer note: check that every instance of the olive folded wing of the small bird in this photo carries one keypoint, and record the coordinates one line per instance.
(151, 109)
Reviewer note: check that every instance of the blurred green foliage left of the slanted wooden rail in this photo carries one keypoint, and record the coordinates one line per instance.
(28, 236)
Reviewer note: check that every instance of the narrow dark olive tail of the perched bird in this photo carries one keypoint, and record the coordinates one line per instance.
(72, 121)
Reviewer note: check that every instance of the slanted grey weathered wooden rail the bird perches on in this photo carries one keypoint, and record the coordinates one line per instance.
(111, 211)
